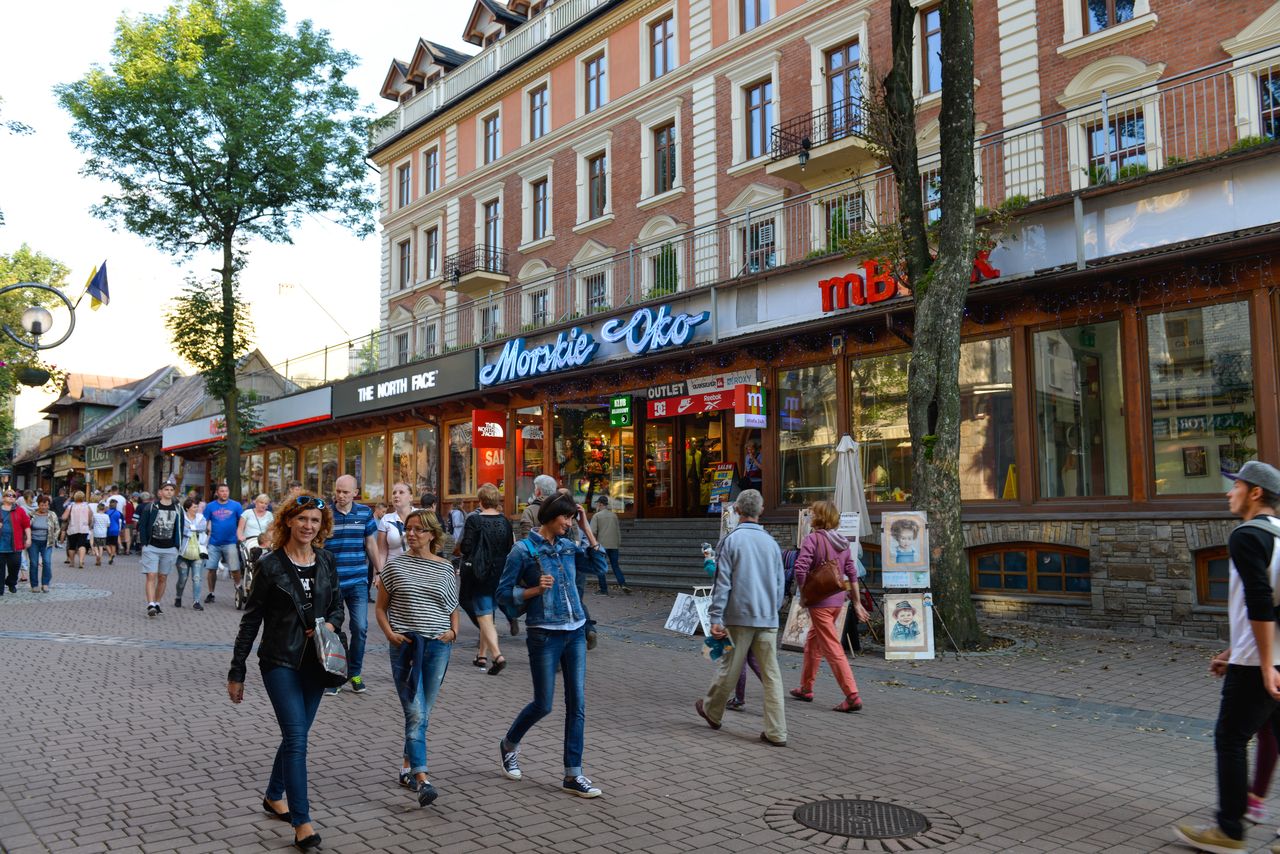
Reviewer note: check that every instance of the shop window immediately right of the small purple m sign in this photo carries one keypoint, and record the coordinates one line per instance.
(807, 433)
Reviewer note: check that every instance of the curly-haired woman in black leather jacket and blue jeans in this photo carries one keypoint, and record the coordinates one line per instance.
(292, 587)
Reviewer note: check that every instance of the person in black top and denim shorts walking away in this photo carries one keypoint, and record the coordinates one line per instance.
(487, 540)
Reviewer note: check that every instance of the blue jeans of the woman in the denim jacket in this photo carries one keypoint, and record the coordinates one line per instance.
(550, 651)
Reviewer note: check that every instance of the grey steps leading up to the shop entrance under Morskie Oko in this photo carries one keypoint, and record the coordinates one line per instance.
(666, 554)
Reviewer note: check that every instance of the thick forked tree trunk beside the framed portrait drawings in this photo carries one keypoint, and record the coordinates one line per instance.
(940, 285)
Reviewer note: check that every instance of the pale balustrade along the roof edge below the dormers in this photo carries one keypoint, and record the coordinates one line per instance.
(504, 53)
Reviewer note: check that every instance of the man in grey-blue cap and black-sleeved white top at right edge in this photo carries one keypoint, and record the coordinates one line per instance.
(1251, 686)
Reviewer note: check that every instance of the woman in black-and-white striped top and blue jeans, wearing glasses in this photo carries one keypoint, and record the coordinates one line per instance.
(418, 610)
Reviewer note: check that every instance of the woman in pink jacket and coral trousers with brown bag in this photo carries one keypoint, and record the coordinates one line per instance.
(825, 545)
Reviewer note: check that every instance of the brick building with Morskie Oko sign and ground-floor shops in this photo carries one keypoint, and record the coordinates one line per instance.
(615, 250)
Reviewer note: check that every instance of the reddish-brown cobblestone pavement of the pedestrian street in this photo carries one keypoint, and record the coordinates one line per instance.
(122, 739)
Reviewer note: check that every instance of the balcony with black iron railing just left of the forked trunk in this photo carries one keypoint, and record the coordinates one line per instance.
(822, 147)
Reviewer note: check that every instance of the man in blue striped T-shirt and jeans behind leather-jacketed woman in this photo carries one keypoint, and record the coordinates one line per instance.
(355, 549)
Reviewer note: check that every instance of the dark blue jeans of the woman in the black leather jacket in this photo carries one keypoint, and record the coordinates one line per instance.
(295, 697)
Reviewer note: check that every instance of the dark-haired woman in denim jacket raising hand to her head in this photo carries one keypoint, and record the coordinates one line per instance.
(541, 576)
